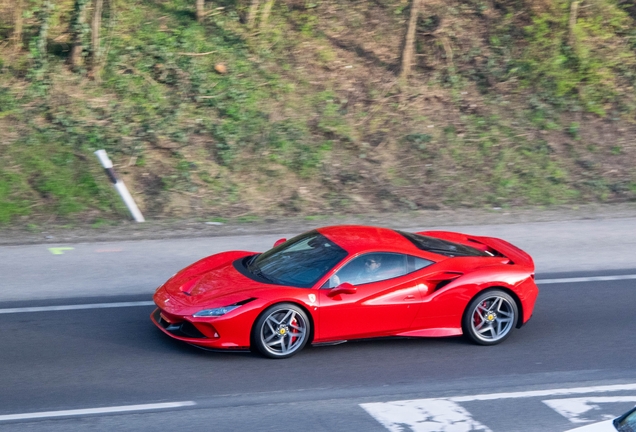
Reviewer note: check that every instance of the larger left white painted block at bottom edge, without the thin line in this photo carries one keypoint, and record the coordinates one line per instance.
(438, 415)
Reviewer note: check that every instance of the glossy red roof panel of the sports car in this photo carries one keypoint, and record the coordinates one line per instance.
(358, 238)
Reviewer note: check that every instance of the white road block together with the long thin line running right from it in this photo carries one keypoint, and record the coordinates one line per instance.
(423, 415)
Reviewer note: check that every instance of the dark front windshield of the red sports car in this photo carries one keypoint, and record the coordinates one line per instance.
(299, 262)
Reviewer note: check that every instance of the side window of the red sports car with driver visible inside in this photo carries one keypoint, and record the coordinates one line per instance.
(375, 267)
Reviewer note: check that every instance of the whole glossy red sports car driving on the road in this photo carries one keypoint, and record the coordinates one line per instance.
(339, 283)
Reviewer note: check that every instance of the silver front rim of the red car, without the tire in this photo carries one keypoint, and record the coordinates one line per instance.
(283, 332)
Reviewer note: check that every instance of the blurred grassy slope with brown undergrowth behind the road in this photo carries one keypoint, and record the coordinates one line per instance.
(503, 110)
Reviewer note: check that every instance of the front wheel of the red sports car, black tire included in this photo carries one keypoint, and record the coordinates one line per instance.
(281, 331)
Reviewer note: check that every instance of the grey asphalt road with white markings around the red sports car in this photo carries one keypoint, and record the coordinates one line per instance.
(581, 337)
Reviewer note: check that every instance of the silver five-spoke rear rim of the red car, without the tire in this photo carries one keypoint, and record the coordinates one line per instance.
(492, 318)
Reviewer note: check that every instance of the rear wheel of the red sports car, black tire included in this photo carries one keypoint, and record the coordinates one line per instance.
(490, 317)
